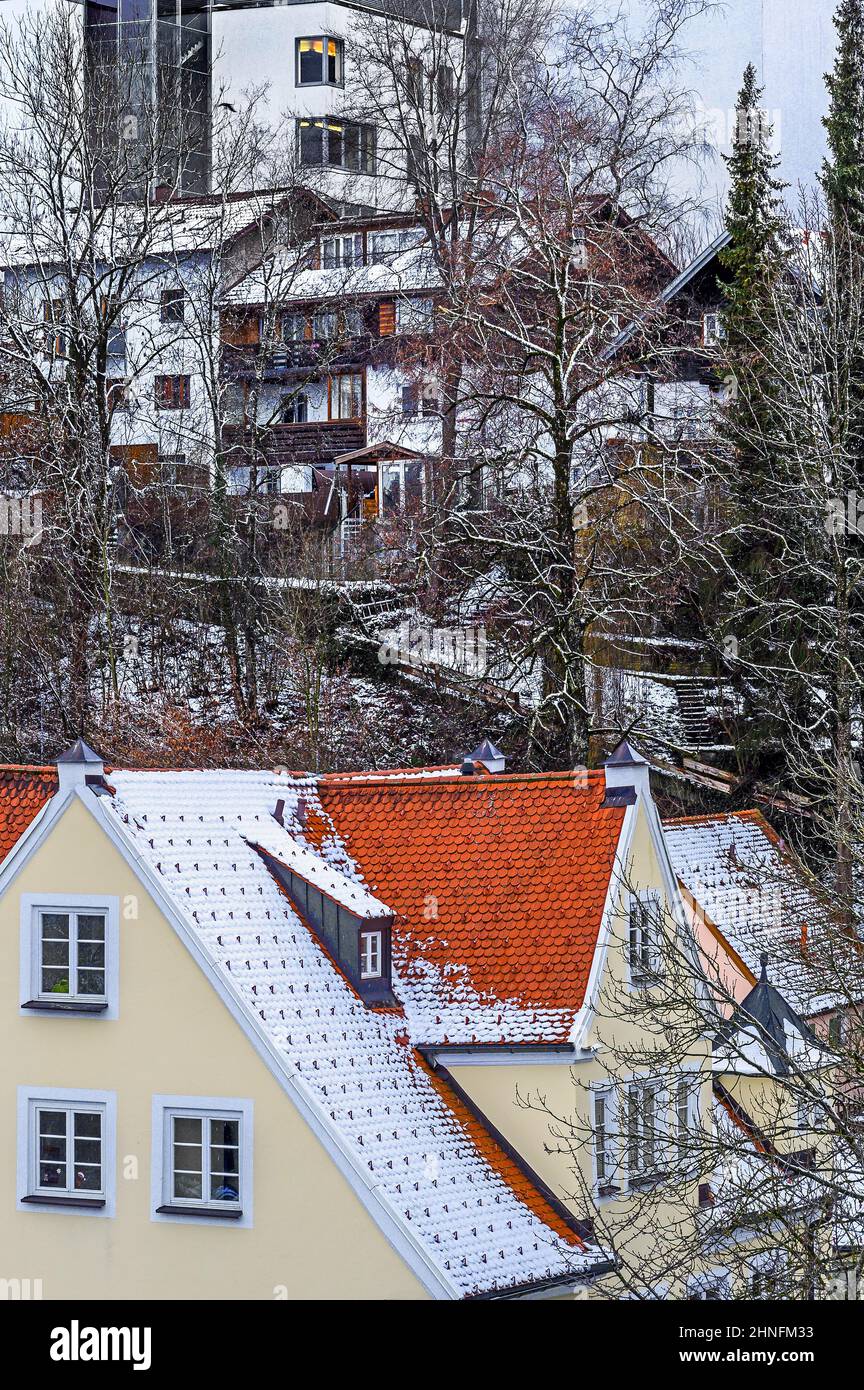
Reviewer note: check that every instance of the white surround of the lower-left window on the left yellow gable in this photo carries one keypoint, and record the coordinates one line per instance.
(33, 1099)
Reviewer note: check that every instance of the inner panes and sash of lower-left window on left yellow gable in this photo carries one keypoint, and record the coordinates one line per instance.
(67, 1152)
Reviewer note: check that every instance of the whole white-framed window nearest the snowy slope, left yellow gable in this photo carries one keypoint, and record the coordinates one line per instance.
(202, 1159)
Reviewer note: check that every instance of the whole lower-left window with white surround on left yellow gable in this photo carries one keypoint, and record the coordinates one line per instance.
(66, 1150)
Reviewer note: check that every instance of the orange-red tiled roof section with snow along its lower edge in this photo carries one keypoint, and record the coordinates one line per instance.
(498, 886)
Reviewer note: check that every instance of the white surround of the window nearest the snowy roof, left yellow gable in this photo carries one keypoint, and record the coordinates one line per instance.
(190, 1211)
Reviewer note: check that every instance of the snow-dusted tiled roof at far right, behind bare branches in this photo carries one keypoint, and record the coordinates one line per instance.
(761, 897)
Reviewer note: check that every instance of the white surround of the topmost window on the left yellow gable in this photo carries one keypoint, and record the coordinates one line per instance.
(33, 906)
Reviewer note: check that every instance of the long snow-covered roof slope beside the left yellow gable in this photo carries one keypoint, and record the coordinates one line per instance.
(442, 1178)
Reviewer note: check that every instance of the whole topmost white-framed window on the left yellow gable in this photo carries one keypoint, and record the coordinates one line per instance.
(70, 954)
